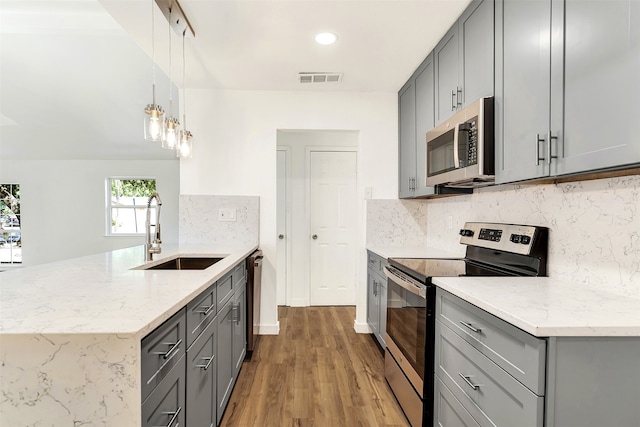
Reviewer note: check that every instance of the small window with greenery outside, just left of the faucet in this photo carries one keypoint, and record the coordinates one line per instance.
(127, 205)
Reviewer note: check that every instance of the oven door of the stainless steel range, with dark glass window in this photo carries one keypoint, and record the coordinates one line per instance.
(407, 324)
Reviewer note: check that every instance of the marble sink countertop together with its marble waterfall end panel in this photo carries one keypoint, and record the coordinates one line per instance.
(70, 332)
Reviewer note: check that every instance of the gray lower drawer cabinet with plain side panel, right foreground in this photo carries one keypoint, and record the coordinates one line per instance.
(490, 373)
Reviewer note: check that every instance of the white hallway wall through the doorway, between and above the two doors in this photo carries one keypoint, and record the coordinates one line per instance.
(298, 142)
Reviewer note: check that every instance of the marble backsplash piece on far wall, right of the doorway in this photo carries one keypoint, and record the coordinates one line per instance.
(396, 223)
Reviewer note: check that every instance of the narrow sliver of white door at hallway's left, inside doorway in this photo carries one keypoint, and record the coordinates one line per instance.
(281, 228)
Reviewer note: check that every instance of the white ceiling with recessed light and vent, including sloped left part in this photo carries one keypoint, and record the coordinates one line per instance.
(76, 74)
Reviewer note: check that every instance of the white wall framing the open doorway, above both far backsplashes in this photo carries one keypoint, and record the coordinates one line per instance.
(235, 154)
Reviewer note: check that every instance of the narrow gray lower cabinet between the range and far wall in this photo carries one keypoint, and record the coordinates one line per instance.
(377, 297)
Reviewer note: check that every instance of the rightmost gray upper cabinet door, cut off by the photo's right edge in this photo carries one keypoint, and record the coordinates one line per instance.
(601, 85)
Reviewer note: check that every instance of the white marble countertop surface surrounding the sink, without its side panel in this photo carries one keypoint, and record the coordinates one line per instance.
(102, 294)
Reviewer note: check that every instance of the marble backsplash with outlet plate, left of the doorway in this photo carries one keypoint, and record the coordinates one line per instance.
(199, 222)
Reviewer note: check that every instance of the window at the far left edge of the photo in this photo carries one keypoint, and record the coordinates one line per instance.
(10, 221)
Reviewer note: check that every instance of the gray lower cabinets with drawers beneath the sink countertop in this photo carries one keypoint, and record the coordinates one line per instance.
(190, 363)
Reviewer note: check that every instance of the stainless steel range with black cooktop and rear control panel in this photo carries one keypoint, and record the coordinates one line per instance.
(492, 250)
